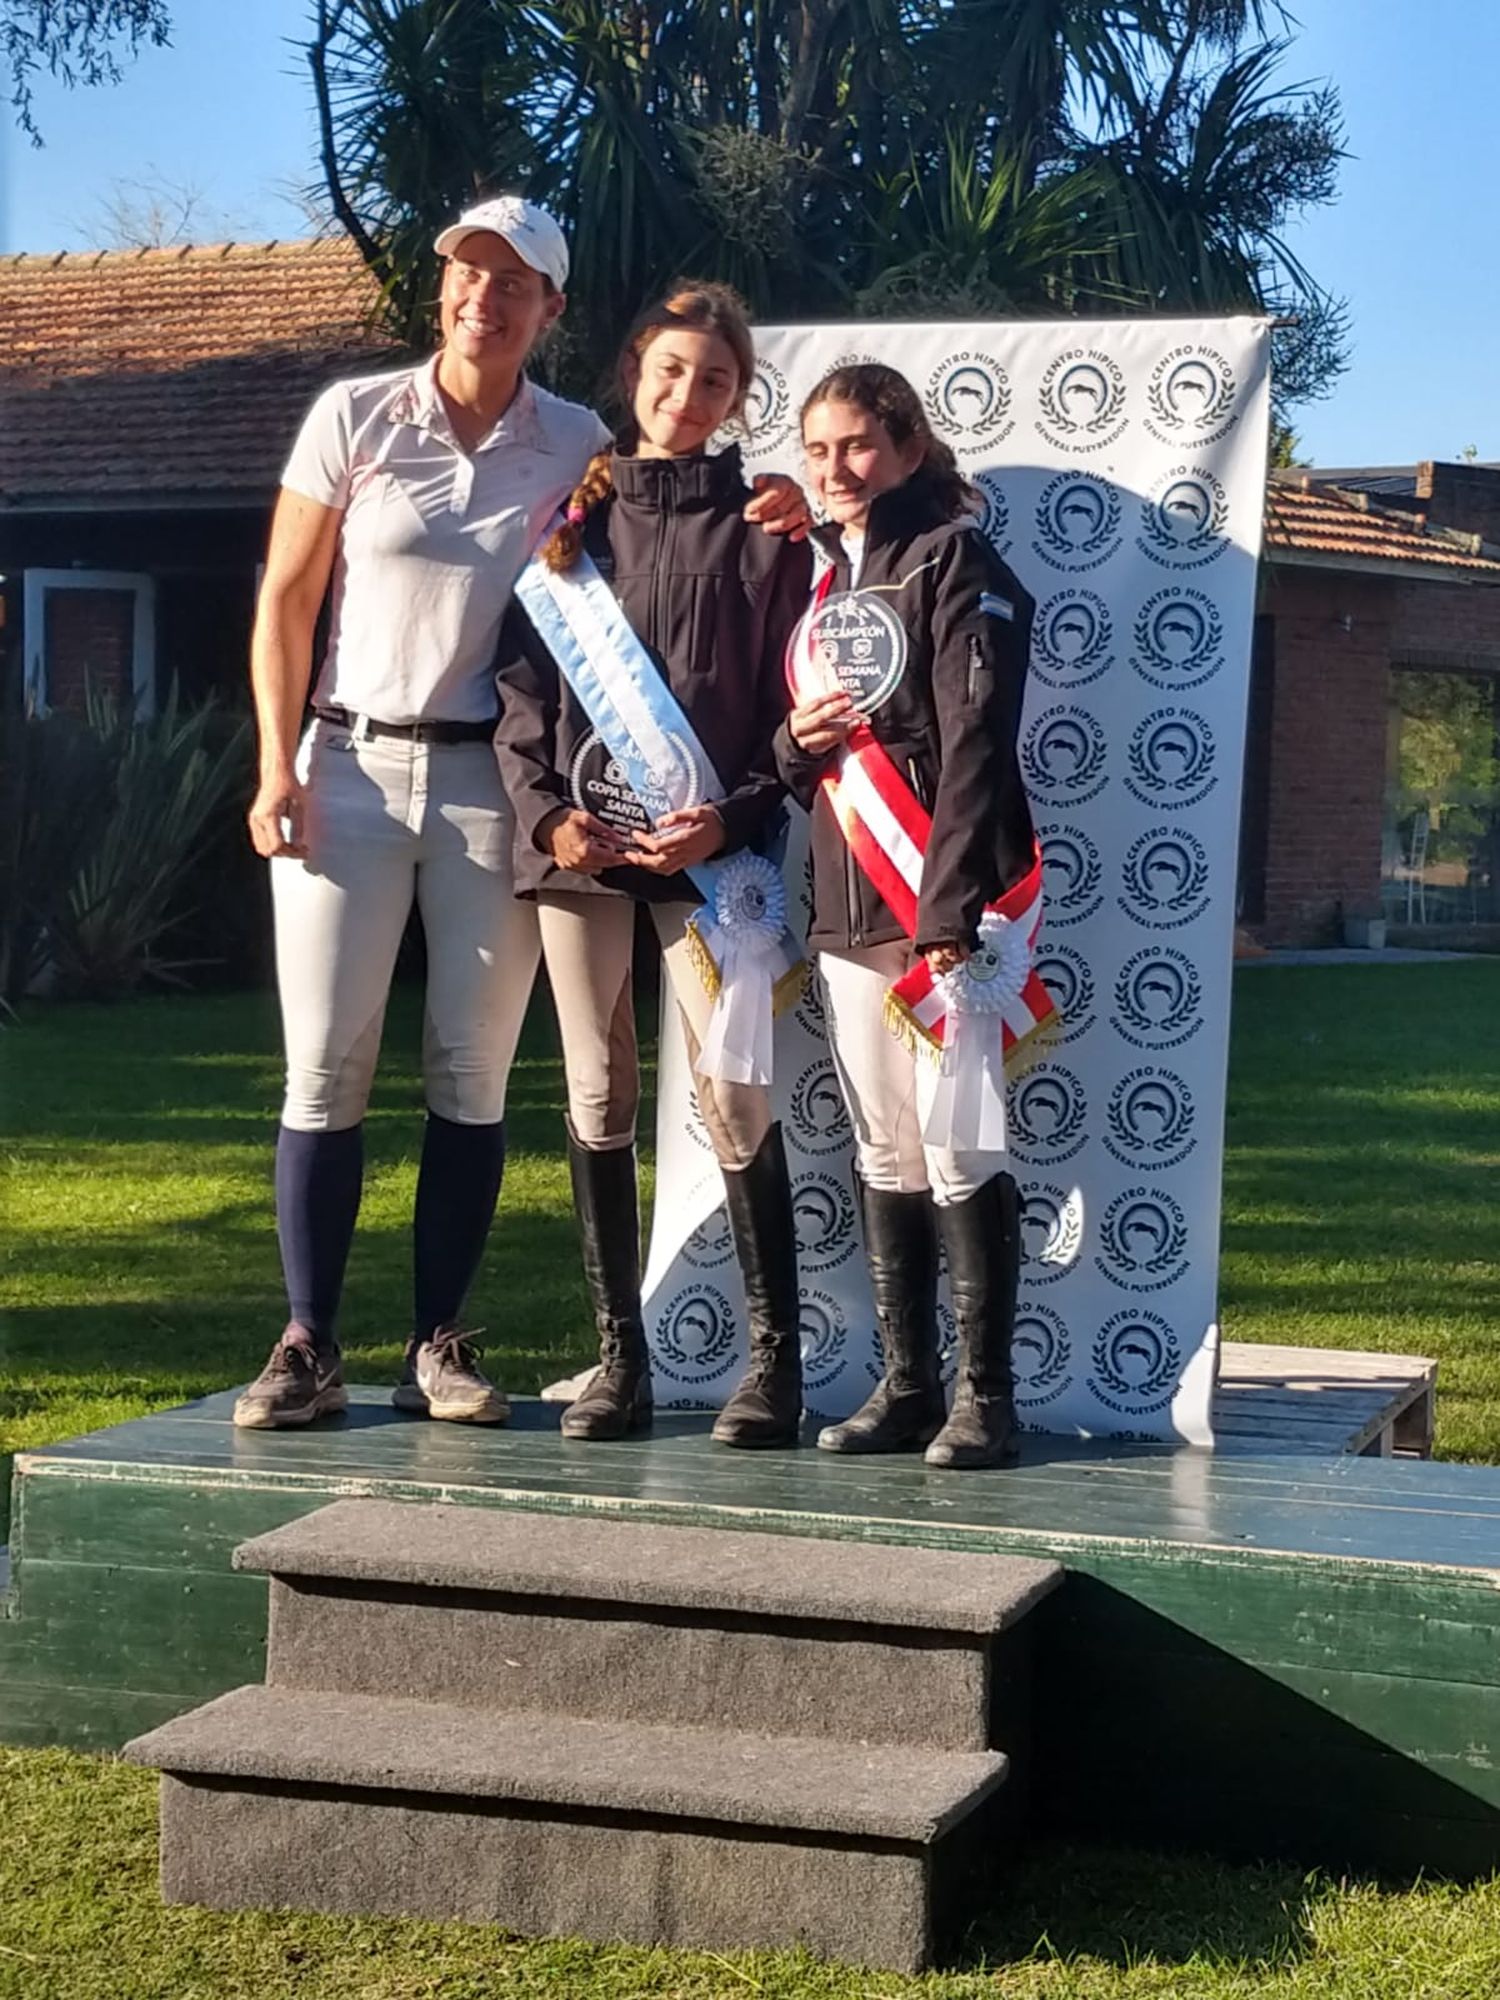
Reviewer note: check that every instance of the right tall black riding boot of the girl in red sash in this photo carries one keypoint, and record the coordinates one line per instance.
(983, 1243)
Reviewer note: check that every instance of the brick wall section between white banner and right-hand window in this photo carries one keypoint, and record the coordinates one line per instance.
(1327, 749)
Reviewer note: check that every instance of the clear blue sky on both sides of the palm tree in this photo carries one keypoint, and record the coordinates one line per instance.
(1413, 241)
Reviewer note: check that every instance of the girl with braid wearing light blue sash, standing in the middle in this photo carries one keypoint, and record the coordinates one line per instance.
(713, 603)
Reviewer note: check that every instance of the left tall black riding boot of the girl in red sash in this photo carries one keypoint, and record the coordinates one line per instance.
(907, 1407)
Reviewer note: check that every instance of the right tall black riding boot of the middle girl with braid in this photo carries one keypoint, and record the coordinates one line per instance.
(767, 1407)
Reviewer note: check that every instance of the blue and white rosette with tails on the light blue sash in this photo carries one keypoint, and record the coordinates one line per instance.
(743, 933)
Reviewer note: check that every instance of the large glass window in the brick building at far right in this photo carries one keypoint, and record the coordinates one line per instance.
(1443, 801)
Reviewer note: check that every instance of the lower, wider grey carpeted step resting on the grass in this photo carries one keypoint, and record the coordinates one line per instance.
(547, 1825)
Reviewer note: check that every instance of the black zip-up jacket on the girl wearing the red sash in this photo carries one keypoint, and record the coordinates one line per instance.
(949, 725)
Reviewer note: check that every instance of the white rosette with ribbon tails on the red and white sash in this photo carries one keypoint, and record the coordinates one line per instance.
(967, 1109)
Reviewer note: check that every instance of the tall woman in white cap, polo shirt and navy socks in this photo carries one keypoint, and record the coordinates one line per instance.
(419, 493)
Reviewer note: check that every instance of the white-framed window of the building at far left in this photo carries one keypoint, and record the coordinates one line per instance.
(89, 629)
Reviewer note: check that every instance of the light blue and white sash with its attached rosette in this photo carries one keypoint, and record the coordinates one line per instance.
(741, 945)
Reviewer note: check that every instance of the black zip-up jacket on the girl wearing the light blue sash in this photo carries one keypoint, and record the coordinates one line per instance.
(715, 603)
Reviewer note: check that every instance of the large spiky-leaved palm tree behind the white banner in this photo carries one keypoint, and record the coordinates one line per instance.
(841, 157)
